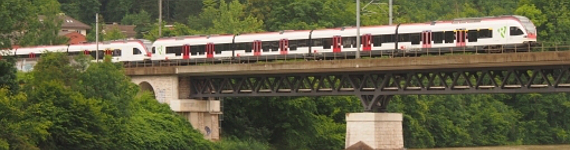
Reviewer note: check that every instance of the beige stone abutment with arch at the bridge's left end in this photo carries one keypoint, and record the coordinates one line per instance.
(173, 90)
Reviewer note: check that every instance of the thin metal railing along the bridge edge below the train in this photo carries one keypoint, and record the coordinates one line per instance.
(499, 49)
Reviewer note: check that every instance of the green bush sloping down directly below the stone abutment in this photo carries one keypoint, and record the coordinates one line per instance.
(155, 126)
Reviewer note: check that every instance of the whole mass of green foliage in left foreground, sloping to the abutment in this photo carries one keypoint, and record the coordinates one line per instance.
(84, 105)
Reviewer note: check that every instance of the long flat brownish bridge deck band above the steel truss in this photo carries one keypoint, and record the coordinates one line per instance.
(409, 63)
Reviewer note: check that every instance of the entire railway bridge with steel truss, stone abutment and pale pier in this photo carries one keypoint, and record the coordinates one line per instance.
(194, 90)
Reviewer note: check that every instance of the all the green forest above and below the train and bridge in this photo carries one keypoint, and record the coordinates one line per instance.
(42, 109)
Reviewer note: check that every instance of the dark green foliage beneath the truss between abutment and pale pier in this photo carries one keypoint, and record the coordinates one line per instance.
(294, 123)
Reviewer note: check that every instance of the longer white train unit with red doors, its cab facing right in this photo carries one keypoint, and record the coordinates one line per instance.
(466, 34)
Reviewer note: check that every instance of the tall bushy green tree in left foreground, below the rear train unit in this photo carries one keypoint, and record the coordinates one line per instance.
(77, 121)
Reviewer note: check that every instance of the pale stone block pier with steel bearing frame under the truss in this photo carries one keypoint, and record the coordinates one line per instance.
(374, 129)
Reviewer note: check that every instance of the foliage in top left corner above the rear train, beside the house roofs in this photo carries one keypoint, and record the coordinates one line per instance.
(25, 28)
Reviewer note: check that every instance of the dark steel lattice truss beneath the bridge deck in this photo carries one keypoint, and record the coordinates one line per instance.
(375, 88)
